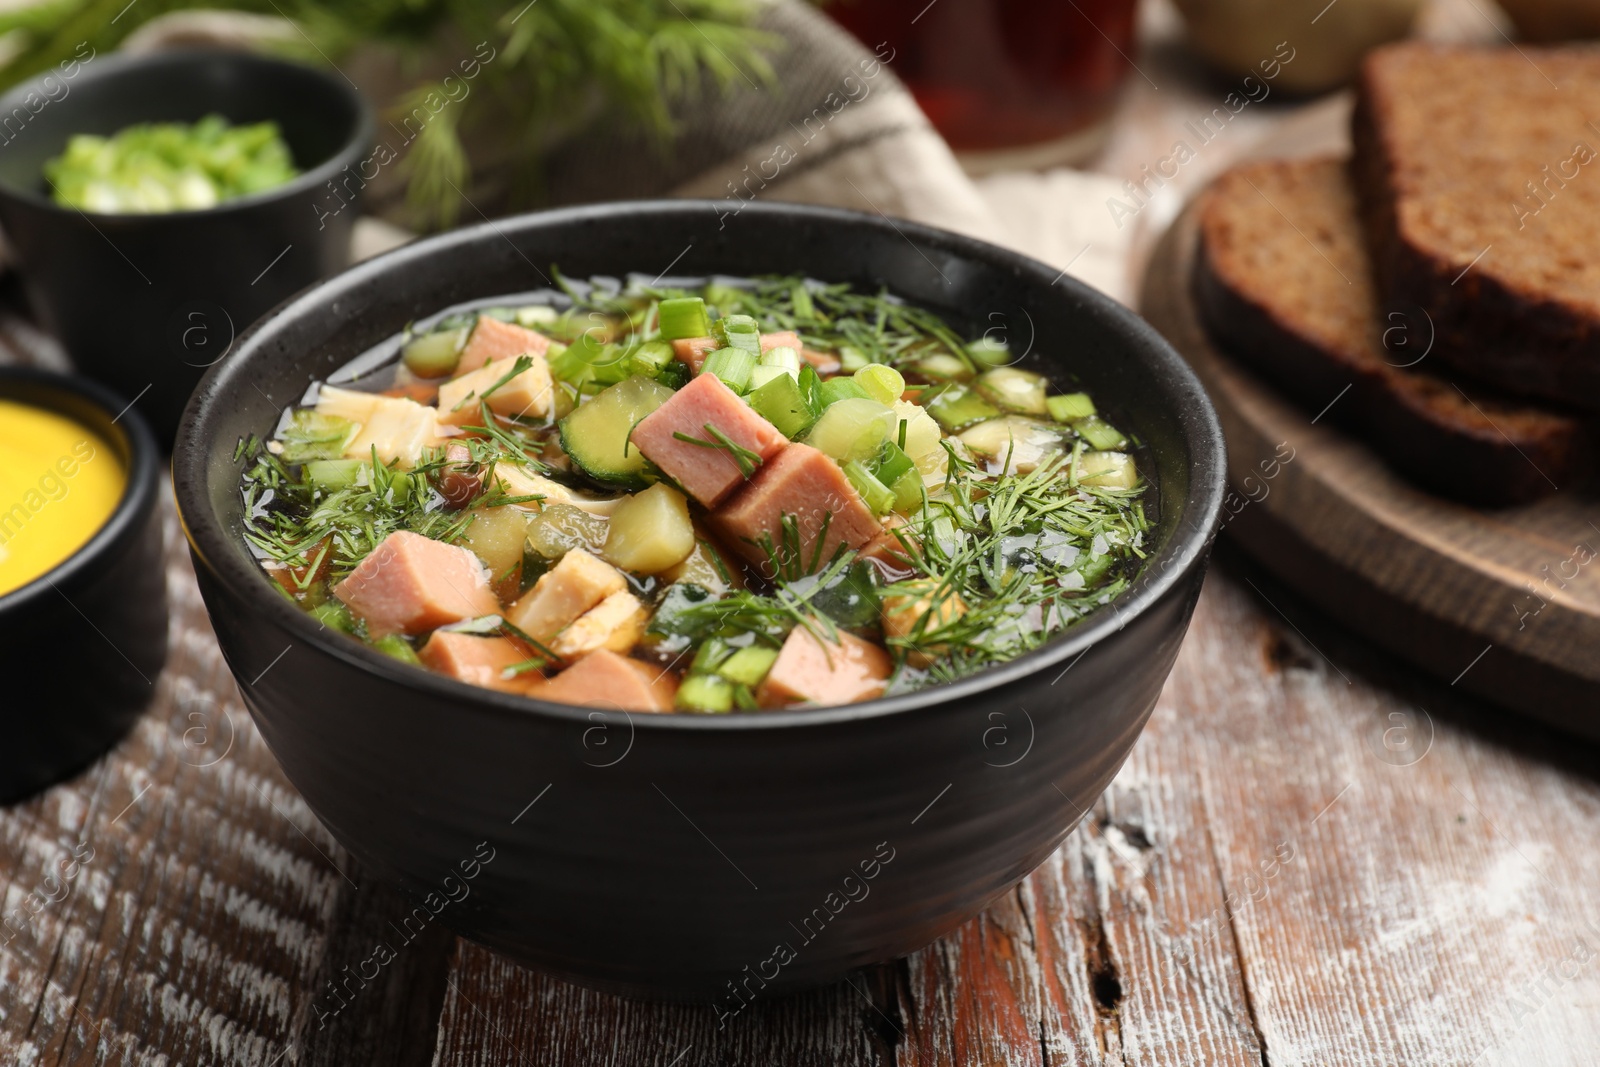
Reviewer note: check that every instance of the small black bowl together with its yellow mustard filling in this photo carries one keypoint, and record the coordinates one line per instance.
(82, 577)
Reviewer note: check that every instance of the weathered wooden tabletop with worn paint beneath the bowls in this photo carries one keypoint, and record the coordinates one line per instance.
(1311, 858)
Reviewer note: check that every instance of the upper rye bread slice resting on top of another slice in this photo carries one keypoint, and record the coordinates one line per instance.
(1481, 196)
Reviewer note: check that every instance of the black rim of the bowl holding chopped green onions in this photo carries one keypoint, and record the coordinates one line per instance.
(134, 65)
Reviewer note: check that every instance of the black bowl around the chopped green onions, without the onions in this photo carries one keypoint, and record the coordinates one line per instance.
(145, 303)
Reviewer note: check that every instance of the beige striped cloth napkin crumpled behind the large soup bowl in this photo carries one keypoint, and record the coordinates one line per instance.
(842, 130)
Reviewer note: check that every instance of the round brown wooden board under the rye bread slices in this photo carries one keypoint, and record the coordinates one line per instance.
(1503, 604)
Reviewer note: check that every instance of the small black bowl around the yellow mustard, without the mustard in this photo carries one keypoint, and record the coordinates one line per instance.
(86, 641)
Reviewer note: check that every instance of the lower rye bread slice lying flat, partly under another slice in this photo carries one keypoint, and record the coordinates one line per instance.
(1284, 284)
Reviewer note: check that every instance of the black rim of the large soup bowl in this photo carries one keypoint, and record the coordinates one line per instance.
(231, 567)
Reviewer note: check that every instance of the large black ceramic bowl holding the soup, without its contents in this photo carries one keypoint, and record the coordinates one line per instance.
(673, 855)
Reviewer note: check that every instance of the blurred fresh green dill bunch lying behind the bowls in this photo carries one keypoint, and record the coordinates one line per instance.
(606, 60)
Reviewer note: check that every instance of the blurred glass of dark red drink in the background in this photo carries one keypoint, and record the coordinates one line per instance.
(1010, 84)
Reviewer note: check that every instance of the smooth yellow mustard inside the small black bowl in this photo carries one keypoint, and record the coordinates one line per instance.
(58, 487)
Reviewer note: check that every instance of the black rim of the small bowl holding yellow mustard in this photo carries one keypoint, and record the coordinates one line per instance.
(138, 492)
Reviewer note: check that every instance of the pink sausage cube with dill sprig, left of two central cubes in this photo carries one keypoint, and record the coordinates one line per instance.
(708, 471)
